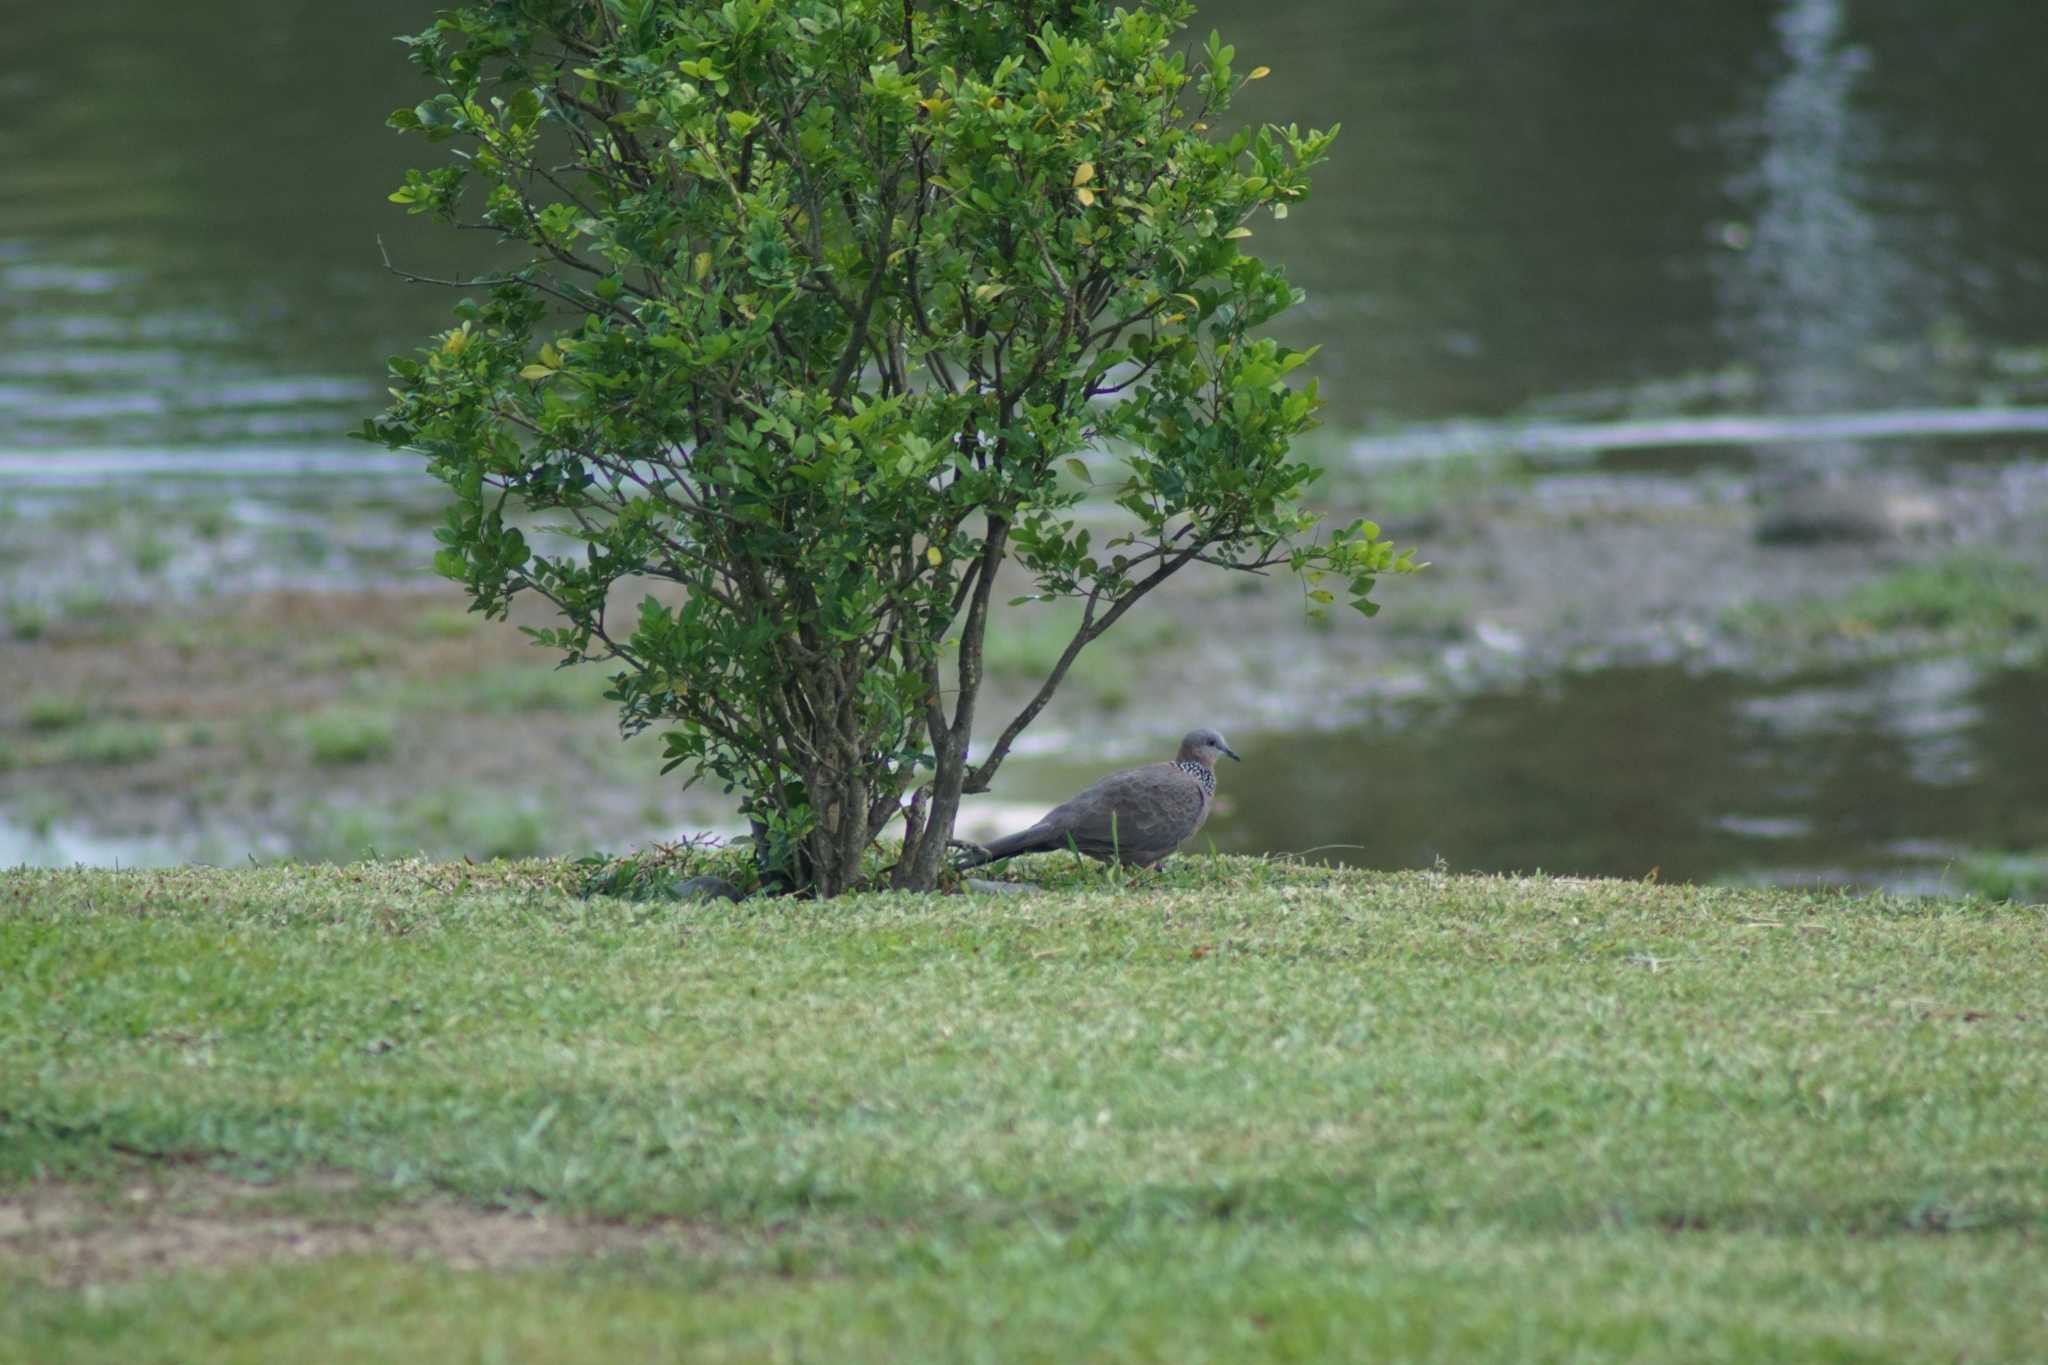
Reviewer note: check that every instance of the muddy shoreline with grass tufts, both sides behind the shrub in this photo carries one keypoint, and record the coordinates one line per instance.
(243, 676)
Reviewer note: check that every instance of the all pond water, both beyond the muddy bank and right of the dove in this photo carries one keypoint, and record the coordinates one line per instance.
(1572, 210)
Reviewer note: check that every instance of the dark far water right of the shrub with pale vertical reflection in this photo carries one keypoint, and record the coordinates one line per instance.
(1584, 200)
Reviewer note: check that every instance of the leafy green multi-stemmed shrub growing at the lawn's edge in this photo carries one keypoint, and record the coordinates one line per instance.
(818, 320)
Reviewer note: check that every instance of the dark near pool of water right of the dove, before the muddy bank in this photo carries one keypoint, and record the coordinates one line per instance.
(1885, 777)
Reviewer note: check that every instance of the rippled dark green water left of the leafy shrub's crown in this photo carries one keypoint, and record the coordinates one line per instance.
(187, 243)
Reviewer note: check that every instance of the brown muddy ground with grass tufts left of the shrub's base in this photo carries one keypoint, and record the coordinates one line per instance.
(327, 725)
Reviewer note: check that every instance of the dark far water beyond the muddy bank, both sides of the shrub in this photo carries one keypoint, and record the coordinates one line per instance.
(1580, 202)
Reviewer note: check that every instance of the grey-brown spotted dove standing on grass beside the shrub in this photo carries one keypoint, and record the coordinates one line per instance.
(1136, 818)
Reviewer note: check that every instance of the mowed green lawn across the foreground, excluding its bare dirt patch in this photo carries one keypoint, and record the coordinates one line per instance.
(1238, 1112)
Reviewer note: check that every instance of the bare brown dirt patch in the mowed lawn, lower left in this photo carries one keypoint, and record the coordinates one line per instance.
(75, 1235)
